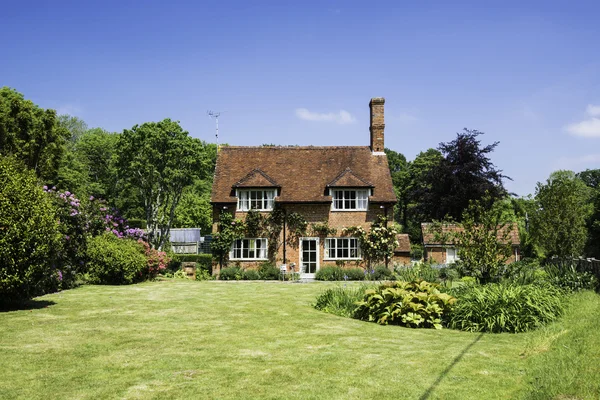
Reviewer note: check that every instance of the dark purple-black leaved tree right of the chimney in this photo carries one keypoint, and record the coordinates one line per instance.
(466, 173)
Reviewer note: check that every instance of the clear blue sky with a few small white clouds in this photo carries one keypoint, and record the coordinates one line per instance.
(303, 72)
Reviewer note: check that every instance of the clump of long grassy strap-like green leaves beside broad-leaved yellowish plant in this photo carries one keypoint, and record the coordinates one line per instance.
(505, 307)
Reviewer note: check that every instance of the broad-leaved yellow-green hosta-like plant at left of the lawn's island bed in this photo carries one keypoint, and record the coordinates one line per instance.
(414, 304)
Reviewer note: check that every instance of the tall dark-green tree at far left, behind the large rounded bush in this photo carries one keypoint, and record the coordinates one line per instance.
(30, 133)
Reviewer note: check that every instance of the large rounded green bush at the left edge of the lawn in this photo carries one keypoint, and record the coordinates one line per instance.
(29, 235)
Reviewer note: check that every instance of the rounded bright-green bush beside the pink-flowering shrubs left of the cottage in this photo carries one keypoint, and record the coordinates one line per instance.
(114, 261)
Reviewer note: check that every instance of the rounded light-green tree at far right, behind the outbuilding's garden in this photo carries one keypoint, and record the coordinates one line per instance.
(562, 208)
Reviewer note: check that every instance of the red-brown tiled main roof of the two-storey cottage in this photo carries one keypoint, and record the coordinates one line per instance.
(303, 173)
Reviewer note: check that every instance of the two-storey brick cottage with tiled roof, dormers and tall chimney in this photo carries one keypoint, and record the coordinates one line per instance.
(339, 185)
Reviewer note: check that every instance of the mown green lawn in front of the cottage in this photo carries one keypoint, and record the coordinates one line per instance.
(230, 340)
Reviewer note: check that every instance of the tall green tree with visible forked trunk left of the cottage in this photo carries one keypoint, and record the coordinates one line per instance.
(160, 159)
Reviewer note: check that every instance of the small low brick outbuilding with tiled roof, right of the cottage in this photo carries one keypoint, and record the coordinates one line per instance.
(445, 253)
